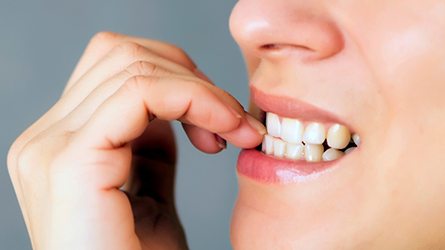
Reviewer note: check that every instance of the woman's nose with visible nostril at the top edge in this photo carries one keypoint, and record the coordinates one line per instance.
(281, 29)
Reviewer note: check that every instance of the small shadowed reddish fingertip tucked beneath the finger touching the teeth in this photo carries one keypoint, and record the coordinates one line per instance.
(204, 140)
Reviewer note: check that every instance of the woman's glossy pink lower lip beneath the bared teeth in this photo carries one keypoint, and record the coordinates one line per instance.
(268, 169)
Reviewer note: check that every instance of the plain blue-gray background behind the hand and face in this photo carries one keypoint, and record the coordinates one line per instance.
(40, 43)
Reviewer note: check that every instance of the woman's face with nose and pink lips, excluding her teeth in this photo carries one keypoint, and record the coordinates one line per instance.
(375, 66)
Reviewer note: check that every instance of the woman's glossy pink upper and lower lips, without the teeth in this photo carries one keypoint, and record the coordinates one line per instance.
(263, 168)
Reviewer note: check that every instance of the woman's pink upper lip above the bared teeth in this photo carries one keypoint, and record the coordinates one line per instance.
(290, 107)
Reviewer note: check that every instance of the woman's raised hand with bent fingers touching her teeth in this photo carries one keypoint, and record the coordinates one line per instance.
(109, 132)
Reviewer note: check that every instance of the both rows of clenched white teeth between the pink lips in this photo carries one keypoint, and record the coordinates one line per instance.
(291, 139)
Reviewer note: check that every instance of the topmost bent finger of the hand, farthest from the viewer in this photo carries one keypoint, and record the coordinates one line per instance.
(103, 42)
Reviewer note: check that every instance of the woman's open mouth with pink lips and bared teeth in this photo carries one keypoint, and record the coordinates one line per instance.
(301, 143)
